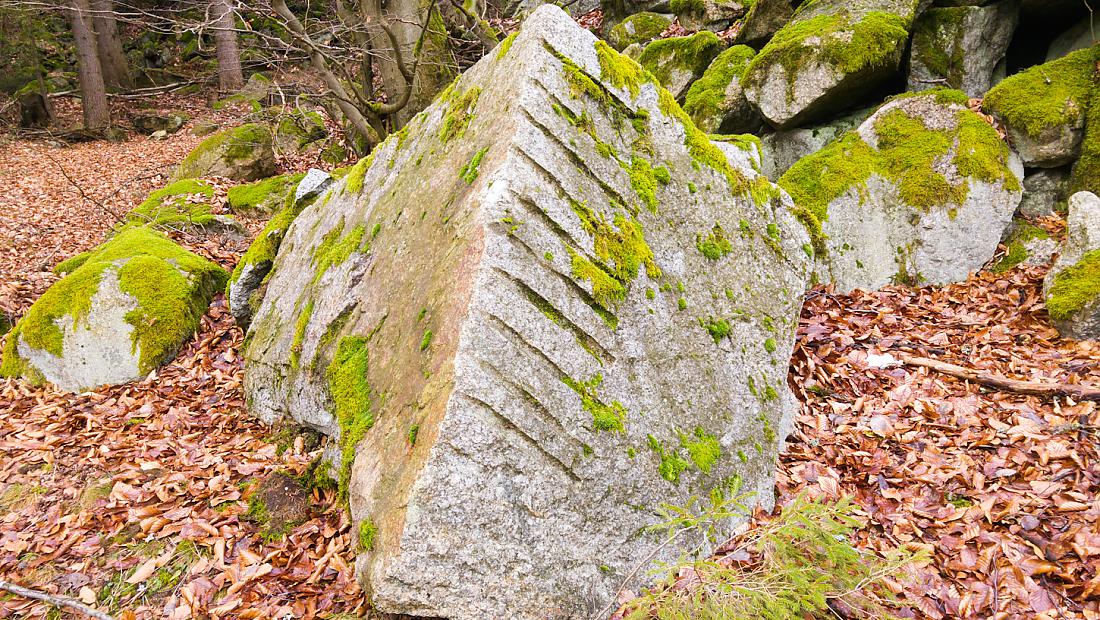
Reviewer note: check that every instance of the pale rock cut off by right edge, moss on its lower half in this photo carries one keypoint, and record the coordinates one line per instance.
(1073, 286)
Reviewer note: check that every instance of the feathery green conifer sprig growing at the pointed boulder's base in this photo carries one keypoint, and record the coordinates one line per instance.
(800, 564)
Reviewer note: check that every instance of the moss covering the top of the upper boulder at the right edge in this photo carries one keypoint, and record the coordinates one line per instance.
(1048, 96)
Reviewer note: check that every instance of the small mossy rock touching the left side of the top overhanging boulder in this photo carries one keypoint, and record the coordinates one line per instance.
(717, 102)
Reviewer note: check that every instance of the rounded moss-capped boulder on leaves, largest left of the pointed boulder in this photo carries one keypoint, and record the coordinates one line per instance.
(124, 309)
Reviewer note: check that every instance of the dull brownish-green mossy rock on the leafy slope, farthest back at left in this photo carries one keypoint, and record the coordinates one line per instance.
(244, 153)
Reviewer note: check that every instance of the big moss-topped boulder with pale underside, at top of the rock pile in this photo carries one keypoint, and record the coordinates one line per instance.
(831, 53)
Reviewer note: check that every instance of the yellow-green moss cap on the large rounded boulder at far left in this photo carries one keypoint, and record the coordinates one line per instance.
(170, 284)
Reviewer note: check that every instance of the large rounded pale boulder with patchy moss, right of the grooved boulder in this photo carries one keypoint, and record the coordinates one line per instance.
(920, 194)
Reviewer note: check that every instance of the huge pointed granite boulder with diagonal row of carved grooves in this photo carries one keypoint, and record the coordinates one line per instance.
(455, 304)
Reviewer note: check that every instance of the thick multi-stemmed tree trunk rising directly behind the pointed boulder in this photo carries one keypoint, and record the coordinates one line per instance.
(436, 67)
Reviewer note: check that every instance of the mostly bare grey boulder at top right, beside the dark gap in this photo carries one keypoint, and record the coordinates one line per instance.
(961, 48)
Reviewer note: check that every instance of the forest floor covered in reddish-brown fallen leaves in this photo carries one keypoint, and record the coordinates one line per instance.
(136, 496)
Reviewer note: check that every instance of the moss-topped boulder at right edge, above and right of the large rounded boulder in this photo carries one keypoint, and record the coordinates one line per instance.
(1044, 108)
